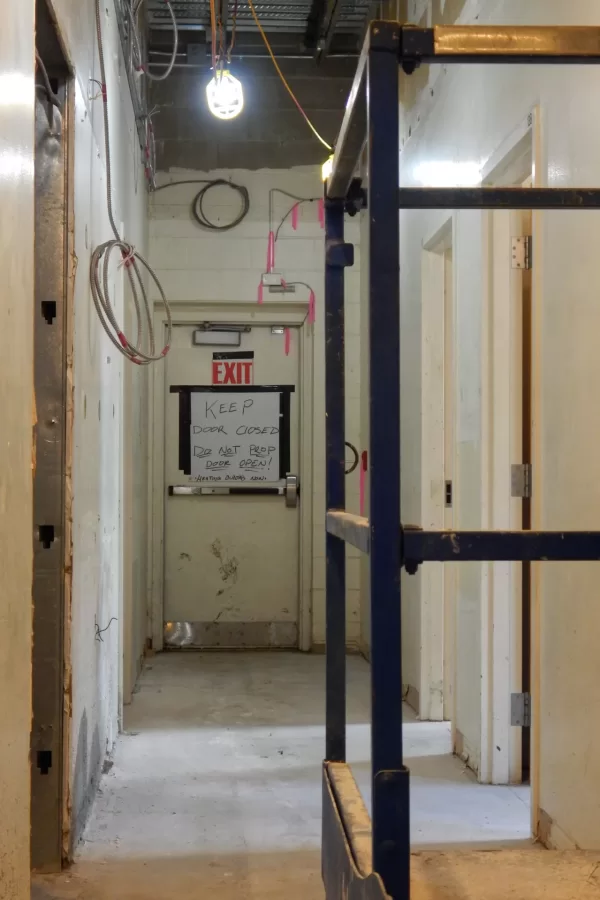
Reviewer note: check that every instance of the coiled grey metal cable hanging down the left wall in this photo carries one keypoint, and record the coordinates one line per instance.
(100, 264)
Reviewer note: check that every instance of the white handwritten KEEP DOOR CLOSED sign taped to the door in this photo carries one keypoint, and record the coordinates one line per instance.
(235, 437)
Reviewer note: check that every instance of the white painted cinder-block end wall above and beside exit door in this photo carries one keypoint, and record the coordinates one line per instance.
(198, 265)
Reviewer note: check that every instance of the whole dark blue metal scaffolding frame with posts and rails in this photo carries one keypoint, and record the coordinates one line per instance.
(363, 860)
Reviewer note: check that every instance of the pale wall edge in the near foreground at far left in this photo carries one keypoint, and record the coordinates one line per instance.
(16, 441)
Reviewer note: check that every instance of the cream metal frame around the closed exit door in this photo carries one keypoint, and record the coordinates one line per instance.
(292, 314)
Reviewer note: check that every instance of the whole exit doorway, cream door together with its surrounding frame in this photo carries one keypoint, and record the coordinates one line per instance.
(233, 473)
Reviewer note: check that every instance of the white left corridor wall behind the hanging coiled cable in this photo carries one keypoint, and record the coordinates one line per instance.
(109, 472)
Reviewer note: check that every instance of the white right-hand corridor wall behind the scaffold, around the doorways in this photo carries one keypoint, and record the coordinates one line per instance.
(472, 112)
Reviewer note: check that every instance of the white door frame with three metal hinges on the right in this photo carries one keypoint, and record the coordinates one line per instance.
(518, 158)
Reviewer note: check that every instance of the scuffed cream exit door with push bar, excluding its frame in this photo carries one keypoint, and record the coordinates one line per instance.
(231, 530)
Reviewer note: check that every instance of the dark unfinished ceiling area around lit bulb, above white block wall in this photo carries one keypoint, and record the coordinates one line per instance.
(316, 43)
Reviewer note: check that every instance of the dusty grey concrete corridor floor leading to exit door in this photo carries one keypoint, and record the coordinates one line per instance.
(215, 791)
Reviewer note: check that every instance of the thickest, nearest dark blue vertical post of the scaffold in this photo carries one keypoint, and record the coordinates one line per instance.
(391, 833)
